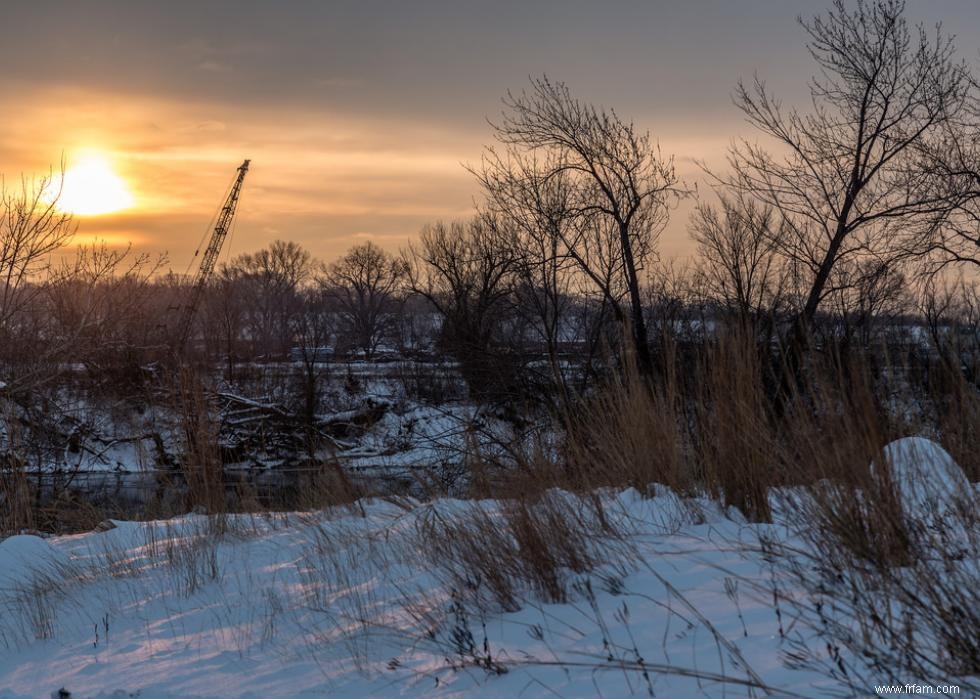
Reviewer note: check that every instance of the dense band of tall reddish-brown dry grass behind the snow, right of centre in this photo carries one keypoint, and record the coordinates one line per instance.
(709, 426)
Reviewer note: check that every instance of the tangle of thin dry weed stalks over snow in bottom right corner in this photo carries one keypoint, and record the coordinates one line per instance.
(898, 592)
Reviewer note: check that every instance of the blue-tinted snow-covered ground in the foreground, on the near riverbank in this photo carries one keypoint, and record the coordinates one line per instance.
(351, 603)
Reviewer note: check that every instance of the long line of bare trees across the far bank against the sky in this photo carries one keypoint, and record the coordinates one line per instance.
(852, 222)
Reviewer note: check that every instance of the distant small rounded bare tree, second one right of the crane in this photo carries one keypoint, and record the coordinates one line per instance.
(365, 284)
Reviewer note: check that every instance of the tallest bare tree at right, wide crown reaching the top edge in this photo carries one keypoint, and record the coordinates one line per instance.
(854, 177)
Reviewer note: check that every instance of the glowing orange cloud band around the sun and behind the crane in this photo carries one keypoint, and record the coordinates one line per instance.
(316, 177)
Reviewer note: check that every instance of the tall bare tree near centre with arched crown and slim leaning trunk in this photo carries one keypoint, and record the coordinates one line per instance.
(590, 179)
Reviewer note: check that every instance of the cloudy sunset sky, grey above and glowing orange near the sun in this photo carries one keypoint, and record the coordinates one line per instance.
(360, 117)
